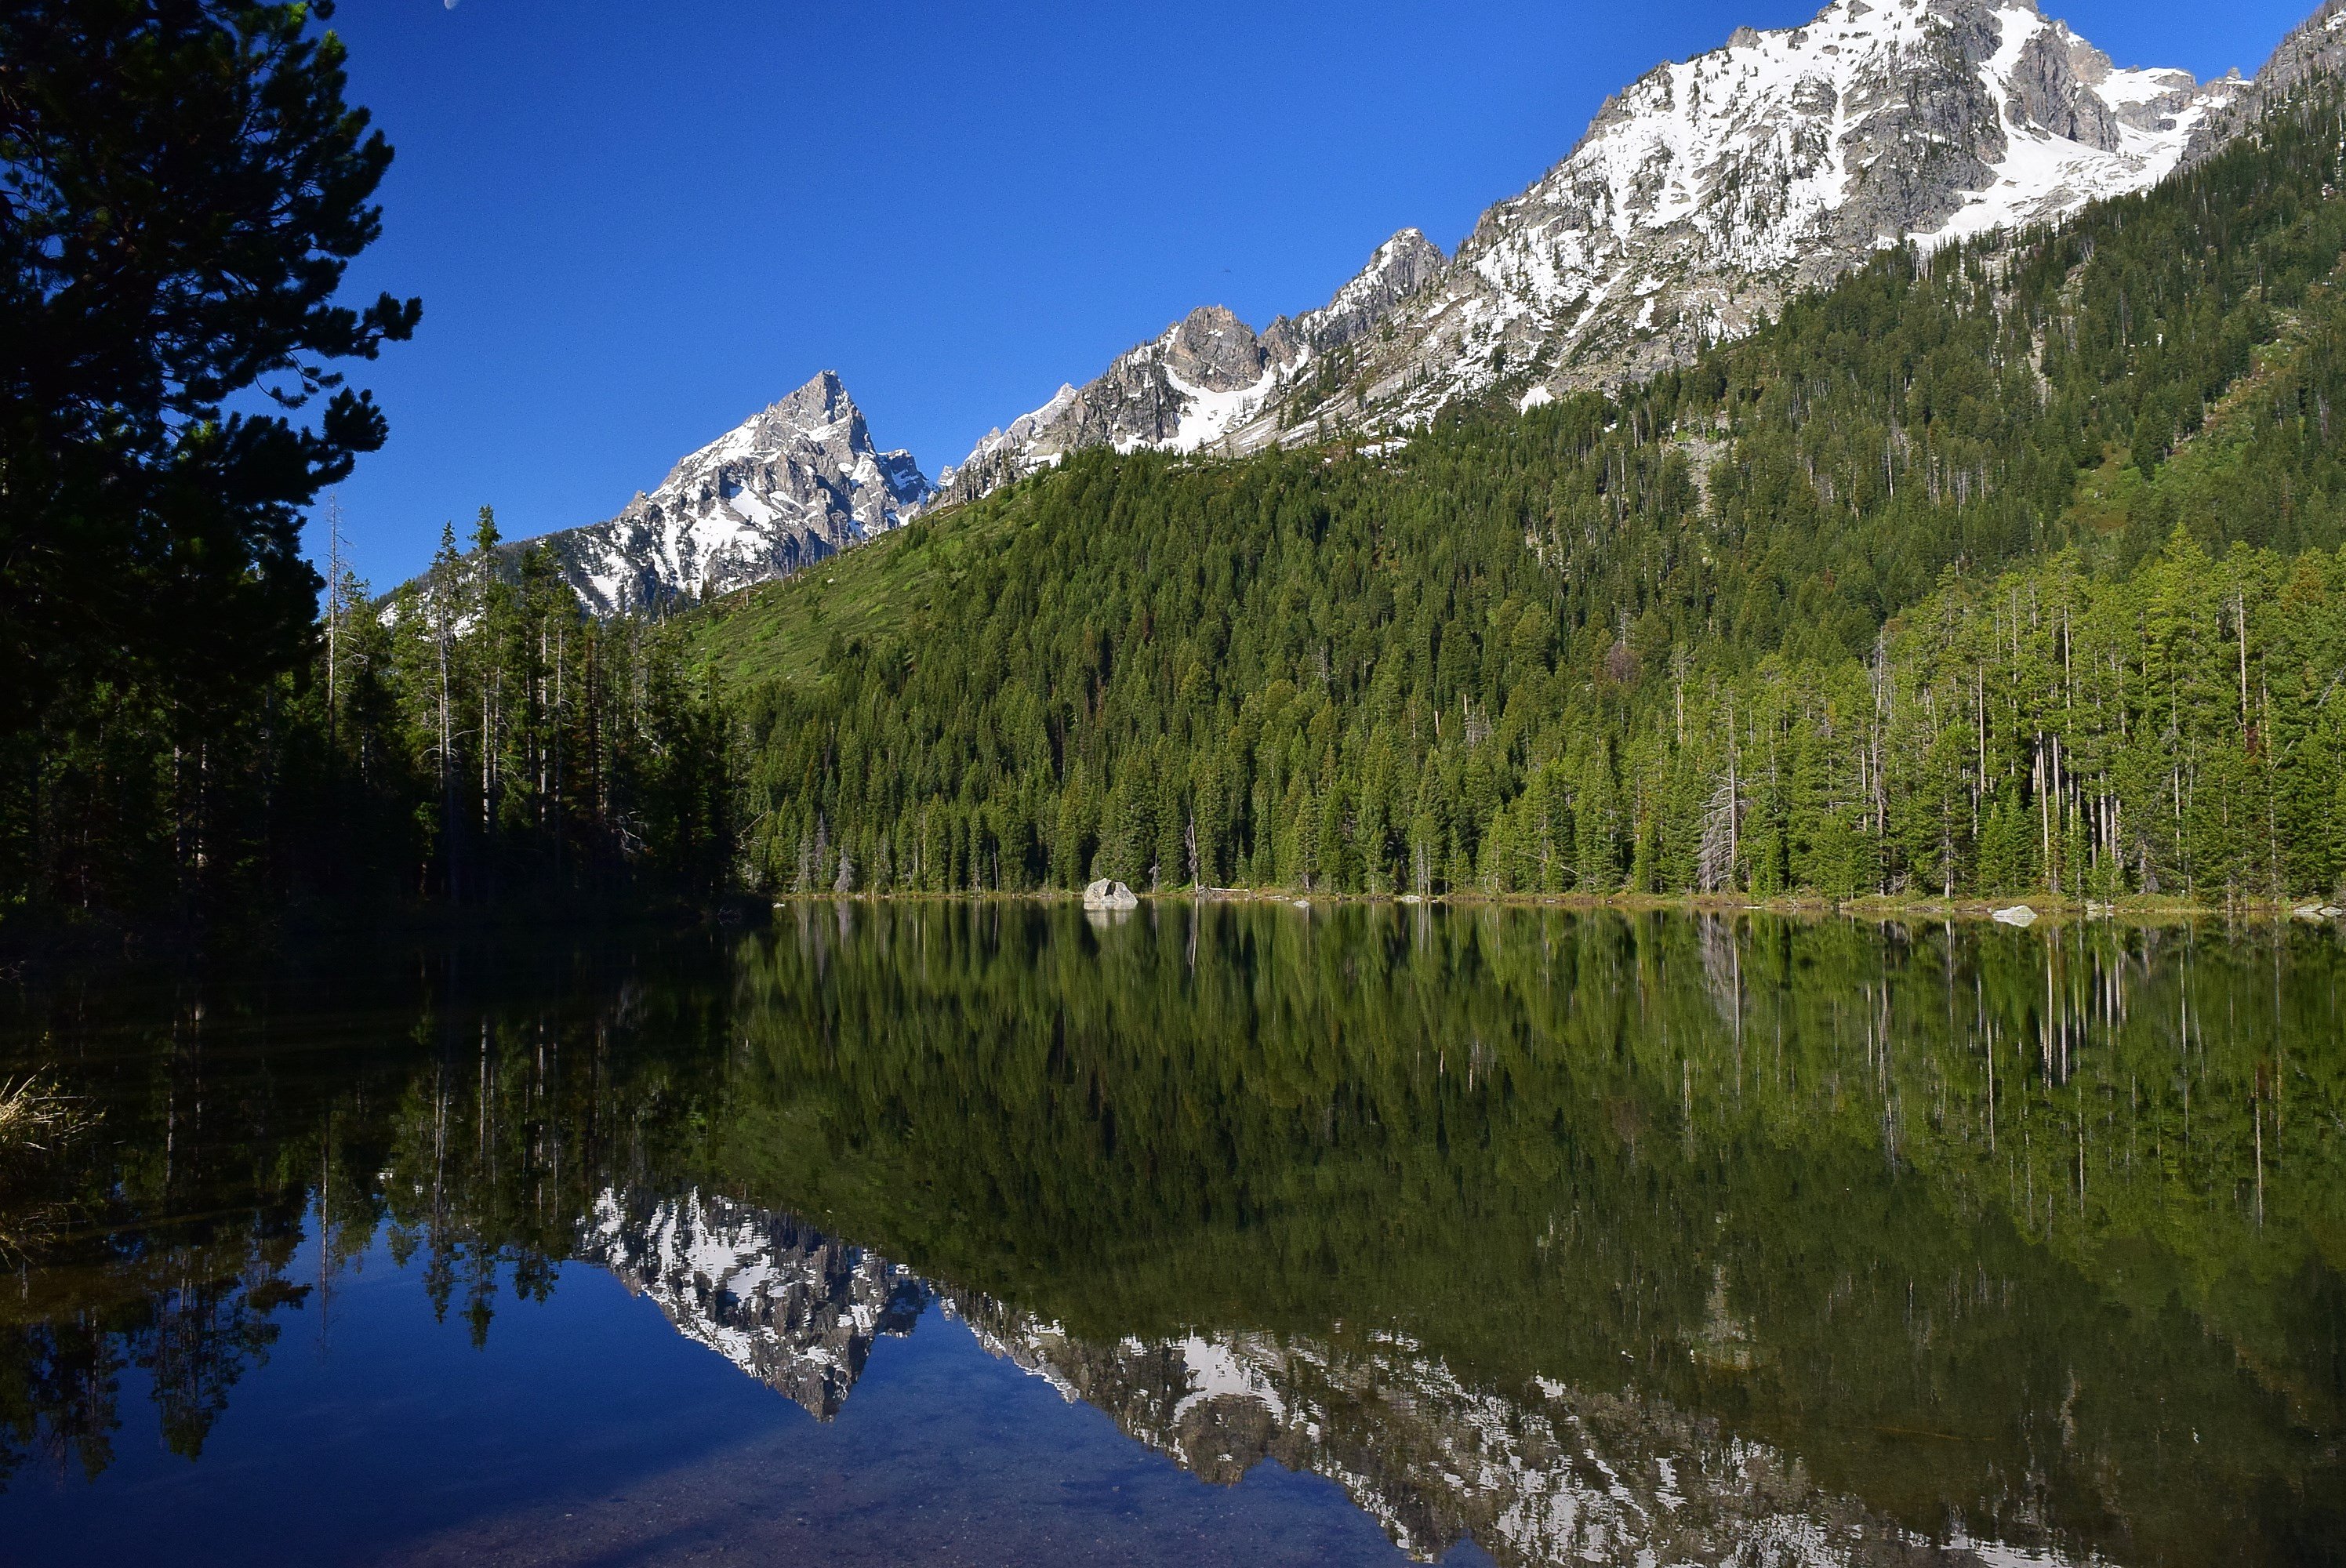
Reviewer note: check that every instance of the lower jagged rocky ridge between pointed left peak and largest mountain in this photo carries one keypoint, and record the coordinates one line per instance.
(1207, 384)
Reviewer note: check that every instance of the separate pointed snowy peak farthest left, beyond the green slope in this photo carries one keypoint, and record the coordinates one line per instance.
(775, 494)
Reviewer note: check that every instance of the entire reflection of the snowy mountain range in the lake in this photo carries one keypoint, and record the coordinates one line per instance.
(1547, 1475)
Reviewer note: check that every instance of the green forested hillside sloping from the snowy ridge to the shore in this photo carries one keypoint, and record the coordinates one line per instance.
(2005, 569)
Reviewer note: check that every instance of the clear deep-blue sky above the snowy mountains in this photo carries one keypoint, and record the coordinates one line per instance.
(637, 224)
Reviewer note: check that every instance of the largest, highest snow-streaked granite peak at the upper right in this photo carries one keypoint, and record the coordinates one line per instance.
(1714, 189)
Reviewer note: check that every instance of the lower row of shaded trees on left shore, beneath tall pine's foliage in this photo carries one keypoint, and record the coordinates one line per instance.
(470, 741)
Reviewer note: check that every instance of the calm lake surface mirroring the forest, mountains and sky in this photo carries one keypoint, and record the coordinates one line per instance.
(1233, 1236)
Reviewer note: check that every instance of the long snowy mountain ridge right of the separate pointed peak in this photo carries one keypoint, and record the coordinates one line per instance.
(1693, 208)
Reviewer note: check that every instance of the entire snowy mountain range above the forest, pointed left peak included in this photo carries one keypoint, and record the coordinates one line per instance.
(1693, 208)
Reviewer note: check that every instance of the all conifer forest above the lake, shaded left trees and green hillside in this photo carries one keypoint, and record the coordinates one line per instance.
(2002, 569)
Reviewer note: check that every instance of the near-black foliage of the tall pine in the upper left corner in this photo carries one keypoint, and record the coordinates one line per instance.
(182, 189)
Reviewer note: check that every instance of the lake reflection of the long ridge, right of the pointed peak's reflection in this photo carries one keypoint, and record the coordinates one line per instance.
(1550, 1478)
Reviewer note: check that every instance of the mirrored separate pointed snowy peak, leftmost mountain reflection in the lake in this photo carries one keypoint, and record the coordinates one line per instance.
(780, 1302)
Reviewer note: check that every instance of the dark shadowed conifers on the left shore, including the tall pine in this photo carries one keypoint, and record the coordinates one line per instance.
(184, 736)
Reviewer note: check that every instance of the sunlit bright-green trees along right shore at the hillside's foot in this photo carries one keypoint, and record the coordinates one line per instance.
(2171, 731)
